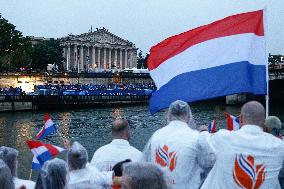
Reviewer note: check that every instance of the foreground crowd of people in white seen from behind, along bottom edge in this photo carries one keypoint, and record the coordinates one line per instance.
(177, 156)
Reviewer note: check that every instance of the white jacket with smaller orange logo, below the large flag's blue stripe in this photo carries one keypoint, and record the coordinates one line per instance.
(174, 149)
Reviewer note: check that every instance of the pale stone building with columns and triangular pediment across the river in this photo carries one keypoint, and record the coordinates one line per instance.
(98, 51)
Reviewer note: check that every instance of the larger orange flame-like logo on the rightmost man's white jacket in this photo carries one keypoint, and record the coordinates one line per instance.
(246, 174)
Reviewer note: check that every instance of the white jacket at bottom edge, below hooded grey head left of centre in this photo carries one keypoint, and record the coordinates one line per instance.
(89, 178)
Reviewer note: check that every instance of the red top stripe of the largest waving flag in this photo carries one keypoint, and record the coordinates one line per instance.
(251, 22)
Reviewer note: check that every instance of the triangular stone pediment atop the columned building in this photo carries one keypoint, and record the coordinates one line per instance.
(100, 36)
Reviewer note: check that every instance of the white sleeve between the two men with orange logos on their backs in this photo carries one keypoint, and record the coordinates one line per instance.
(205, 154)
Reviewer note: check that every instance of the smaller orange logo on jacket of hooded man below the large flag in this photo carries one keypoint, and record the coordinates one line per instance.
(166, 158)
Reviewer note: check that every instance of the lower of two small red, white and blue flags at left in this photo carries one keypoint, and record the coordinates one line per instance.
(42, 152)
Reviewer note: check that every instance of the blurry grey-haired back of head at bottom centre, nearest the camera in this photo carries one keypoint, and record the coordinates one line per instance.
(142, 176)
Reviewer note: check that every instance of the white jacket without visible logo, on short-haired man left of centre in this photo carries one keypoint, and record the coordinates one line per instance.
(118, 150)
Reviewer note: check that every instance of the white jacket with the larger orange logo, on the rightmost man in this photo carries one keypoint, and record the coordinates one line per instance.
(246, 158)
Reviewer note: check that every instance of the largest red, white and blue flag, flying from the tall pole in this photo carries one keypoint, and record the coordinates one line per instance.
(222, 58)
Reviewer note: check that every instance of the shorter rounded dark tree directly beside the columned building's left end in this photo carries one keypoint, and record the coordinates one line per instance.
(47, 52)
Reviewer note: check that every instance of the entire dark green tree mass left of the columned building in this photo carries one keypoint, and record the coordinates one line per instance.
(17, 51)
